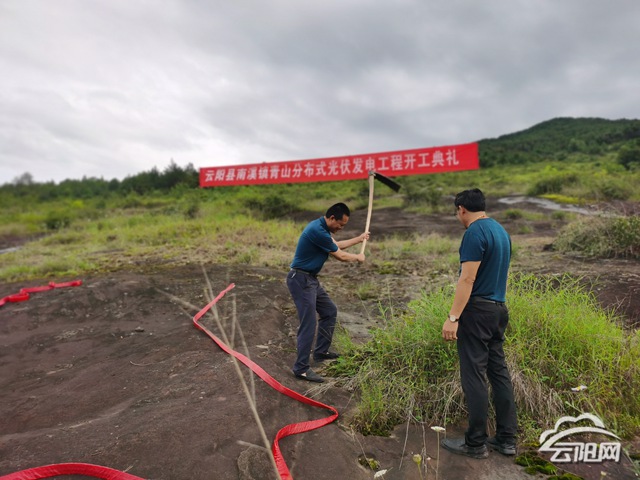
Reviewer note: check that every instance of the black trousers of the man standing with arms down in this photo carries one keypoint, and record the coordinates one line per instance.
(480, 348)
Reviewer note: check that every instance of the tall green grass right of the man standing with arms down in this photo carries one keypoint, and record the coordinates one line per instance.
(560, 338)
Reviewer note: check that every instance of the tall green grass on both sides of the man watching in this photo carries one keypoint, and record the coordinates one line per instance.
(558, 338)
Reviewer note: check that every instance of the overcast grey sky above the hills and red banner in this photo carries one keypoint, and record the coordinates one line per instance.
(112, 88)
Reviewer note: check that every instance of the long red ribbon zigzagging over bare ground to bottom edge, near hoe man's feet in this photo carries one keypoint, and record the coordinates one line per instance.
(291, 429)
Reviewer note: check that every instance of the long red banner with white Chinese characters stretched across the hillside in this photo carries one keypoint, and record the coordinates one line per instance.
(391, 164)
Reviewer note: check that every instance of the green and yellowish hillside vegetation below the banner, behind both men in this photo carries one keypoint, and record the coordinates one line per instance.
(181, 225)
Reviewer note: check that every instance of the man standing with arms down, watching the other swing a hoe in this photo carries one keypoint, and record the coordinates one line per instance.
(477, 320)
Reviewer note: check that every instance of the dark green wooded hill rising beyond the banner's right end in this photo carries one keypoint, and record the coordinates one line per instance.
(560, 138)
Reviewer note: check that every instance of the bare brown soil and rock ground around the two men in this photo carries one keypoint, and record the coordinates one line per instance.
(114, 372)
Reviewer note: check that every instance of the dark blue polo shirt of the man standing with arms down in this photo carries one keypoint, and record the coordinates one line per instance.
(487, 242)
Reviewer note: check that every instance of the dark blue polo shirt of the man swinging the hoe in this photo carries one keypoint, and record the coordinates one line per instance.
(314, 246)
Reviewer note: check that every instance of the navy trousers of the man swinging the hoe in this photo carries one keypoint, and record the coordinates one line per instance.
(316, 311)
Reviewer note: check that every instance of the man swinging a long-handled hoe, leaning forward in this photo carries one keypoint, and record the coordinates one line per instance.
(314, 247)
